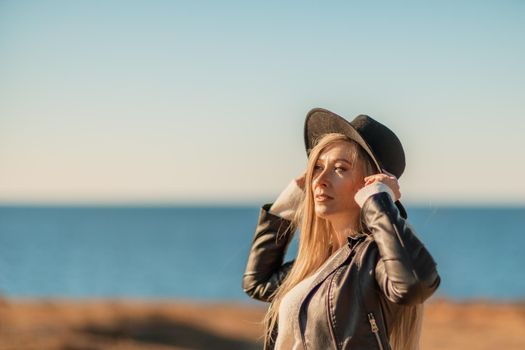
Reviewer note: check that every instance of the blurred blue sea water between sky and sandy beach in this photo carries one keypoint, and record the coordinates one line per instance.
(200, 252)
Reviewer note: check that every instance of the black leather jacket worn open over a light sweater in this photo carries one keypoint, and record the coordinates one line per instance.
(355, 299)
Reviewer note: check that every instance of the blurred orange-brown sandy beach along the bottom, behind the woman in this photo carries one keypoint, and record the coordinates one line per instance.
(156, 325)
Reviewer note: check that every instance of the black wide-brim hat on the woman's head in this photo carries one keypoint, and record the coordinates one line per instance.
(379, 142)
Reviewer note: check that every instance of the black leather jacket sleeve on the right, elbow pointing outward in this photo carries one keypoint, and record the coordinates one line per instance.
(406, 272)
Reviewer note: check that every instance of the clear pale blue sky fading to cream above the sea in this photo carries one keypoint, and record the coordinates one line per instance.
(204, 101)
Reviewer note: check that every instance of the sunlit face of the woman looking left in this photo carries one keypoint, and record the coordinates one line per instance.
(335, 181)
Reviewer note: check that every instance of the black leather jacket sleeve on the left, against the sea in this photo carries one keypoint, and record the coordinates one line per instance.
(265, 270)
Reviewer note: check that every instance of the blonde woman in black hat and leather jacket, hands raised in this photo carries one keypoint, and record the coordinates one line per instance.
(361, 274)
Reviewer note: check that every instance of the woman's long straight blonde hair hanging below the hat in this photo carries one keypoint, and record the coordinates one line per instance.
(316, 245)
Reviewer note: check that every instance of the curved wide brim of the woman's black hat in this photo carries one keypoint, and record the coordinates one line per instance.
(320, 122)
